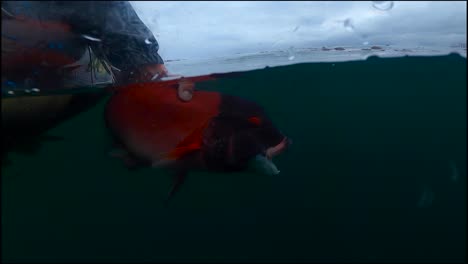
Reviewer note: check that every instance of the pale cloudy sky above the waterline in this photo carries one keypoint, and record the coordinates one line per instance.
(199, 29)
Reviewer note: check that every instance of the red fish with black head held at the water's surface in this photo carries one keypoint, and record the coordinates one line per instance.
(213, 131)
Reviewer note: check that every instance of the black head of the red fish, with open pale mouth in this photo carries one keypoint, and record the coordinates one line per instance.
(242, 136)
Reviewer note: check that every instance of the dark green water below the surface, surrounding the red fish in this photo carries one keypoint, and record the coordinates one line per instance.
(377, 172)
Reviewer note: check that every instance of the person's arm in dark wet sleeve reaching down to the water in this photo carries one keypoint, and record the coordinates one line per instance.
(125, 40)
